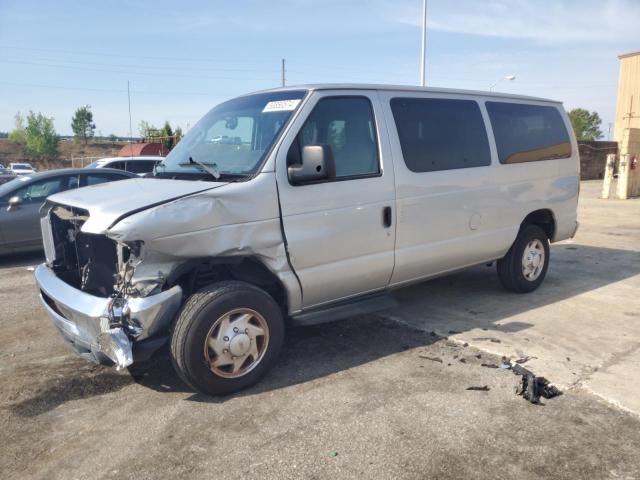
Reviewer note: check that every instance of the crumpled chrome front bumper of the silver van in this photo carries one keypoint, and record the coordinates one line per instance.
(84, 320)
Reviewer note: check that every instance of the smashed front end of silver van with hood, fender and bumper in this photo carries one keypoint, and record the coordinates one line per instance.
(113, 278)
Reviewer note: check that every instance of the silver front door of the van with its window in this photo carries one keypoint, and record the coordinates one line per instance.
(340, 231)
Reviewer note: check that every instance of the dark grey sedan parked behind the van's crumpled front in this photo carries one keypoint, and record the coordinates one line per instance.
(21, 199)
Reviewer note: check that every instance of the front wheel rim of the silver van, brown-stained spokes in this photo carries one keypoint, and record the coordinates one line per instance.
(236, 343)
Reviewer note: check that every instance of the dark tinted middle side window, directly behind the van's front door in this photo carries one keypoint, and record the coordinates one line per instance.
(439, 134)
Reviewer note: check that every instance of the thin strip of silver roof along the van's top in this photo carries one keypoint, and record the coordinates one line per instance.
(405, 88)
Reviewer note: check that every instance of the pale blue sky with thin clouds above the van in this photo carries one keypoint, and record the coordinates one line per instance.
(183, 57)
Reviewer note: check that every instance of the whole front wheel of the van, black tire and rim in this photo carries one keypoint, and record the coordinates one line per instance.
(227, 337)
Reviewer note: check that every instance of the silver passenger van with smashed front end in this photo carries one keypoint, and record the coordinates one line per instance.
(302, 205)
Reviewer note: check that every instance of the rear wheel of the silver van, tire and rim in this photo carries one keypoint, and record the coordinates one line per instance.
(524, 267)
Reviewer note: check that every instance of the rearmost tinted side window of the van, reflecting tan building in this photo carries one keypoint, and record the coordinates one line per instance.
(528, 133)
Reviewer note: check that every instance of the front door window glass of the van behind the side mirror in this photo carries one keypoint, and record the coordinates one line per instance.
(346, 124)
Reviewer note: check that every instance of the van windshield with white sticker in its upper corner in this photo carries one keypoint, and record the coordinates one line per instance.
(233, 138)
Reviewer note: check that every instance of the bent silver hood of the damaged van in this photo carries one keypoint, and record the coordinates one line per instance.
(109, 203)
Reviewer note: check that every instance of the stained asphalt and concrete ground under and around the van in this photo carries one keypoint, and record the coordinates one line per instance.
(381, 396)
